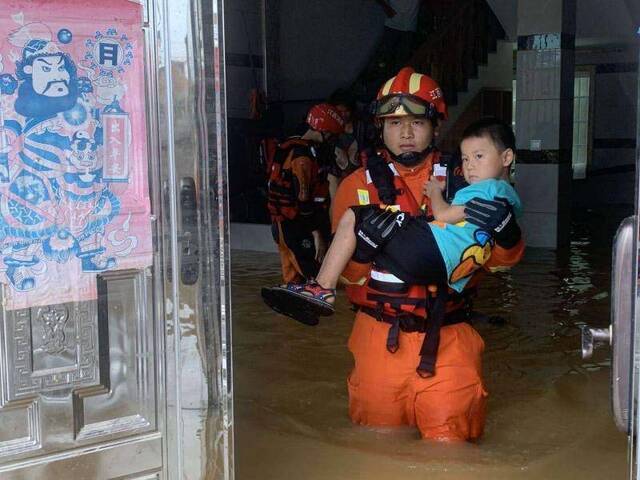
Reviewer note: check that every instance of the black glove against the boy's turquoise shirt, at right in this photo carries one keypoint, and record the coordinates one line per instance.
(496, 217)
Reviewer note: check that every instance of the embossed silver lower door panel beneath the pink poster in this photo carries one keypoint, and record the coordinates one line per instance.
(55, 376)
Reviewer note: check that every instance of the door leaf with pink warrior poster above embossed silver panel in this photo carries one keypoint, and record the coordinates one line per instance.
(77, 376)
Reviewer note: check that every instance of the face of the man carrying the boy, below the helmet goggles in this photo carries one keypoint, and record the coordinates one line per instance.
(407, 134)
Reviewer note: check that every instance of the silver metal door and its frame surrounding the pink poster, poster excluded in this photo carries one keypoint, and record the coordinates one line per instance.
(136, 383)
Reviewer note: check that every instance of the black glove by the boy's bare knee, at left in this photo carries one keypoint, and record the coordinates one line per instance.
(374, 228)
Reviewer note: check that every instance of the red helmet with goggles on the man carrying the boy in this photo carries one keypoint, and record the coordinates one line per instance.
(410, 93)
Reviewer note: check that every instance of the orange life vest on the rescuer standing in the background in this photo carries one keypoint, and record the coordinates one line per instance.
(282, 199)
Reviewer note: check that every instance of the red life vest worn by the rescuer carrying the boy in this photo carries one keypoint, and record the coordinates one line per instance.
(383, 291)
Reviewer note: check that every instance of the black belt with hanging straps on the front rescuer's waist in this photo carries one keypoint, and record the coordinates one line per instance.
(408, 322)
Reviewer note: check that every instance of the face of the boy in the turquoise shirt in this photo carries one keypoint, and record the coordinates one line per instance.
(481, 159)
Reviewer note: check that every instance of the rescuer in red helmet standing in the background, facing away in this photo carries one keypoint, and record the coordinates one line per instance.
(298, 193)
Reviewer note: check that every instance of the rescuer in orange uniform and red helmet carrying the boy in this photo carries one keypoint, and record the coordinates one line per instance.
(388, 340)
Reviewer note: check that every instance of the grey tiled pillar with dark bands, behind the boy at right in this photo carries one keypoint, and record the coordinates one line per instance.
(544, 108)
